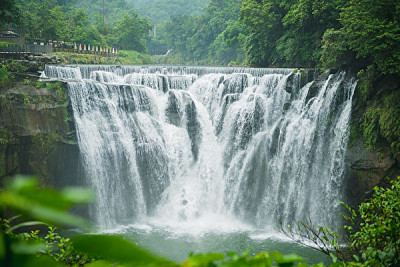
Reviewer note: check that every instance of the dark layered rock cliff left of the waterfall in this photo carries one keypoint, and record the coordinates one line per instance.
(37, 135)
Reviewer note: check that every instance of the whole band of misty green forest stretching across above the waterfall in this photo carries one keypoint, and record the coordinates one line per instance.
(263, 33)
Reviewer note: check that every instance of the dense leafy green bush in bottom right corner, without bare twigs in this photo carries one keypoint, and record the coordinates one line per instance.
(378, 240)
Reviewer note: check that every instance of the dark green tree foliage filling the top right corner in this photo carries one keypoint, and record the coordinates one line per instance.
(372, 30)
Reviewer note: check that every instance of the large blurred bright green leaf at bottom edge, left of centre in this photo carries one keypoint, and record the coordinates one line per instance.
(114, 248)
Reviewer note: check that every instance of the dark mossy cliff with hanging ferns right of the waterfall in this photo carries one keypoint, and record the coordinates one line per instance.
(374, 146)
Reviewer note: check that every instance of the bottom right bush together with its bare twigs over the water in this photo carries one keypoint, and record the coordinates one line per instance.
(372, 237)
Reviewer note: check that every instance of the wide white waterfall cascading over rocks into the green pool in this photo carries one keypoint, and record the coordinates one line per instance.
(183, 143)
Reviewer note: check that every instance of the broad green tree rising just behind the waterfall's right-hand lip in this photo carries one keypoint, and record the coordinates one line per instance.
(287, 33)
